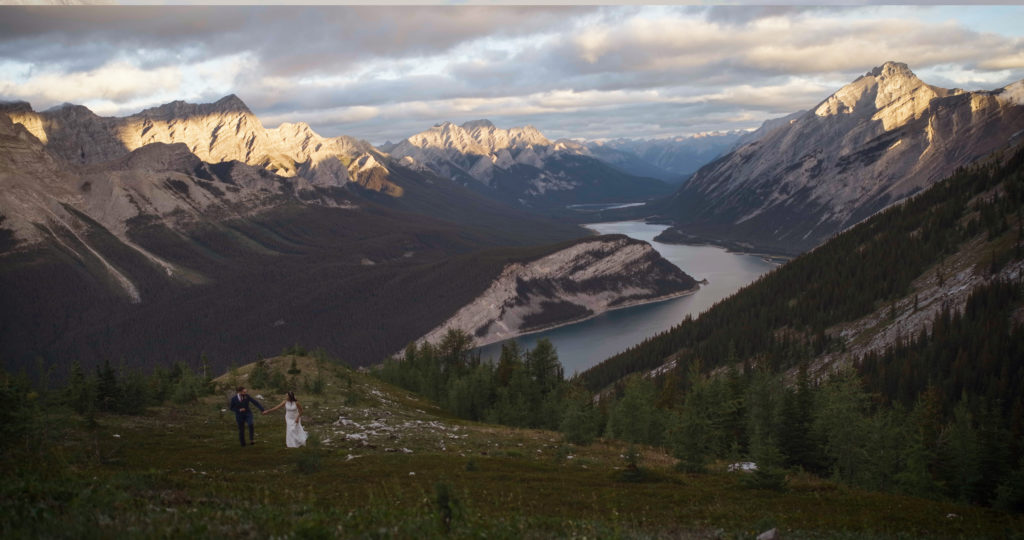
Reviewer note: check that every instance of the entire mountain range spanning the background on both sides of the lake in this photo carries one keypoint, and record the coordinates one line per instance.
(116, 233)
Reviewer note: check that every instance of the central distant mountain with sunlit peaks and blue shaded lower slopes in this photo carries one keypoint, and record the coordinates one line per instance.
(521, 165)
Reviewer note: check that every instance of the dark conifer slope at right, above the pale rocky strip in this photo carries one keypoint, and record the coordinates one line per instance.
(783, 320)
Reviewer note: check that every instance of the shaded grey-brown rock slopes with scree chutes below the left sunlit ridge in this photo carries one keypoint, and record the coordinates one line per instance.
(44, 199)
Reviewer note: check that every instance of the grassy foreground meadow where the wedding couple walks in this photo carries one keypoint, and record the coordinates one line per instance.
(383, 464)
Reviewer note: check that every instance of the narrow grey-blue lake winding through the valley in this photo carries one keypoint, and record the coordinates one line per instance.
(584, 345)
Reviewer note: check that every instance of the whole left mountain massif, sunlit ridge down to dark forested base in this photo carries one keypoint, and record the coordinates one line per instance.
(190, 231)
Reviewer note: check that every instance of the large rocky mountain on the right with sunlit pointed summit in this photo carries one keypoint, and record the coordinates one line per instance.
(874, 143)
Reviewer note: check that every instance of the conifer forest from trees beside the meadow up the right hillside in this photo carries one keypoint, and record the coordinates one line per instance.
(938, 414)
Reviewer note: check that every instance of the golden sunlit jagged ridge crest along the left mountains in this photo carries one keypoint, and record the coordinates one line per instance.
(226, 131)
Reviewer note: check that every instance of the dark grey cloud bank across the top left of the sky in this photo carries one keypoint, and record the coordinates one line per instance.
(290, 40)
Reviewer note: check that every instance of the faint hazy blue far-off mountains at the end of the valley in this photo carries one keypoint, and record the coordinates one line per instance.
(671, 159)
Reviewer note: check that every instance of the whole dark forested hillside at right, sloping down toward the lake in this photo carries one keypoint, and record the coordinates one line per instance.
(777, 375)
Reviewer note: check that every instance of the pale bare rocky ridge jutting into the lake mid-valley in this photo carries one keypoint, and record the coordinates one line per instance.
(587, 279)
